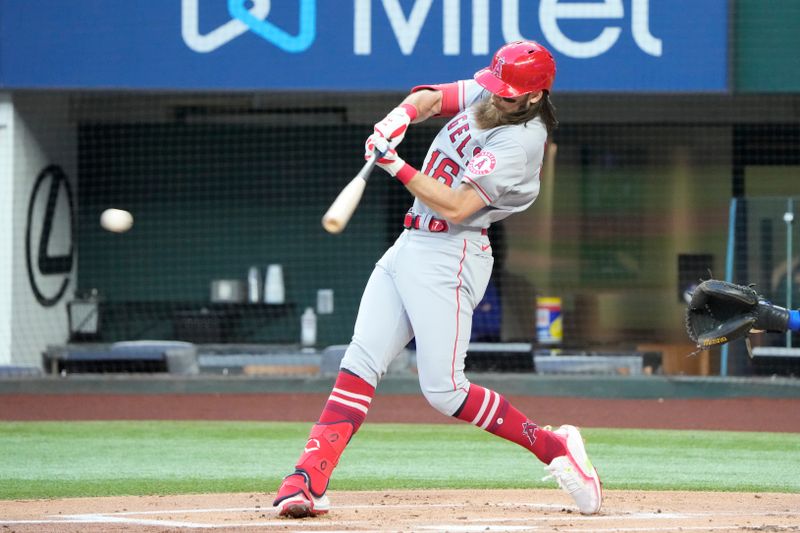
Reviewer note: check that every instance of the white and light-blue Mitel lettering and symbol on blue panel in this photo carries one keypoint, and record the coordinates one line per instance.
(252, 15)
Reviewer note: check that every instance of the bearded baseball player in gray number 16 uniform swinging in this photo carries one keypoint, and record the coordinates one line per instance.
(482, 167)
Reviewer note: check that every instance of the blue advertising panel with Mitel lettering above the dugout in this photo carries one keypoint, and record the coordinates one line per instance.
(599, 45)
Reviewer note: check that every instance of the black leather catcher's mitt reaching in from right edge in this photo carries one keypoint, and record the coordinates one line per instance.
(720, 312)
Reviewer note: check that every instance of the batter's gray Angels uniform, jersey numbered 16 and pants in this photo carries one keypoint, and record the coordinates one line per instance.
(428, 283)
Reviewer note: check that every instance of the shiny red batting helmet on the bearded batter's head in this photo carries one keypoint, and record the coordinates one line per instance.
(518, 68)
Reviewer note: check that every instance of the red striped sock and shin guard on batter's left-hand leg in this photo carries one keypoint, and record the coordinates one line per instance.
(343, 414)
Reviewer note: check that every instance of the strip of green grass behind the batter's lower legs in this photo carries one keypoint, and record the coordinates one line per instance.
(70, 459)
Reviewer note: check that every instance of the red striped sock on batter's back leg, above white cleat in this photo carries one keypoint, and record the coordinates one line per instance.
(490, 411)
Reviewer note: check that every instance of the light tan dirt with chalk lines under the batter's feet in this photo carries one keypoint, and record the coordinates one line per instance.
(439, 510)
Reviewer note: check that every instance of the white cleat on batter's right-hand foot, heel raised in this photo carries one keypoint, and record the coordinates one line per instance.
(574, 472)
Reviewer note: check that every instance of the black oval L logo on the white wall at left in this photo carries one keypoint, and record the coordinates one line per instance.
(49, 236)
